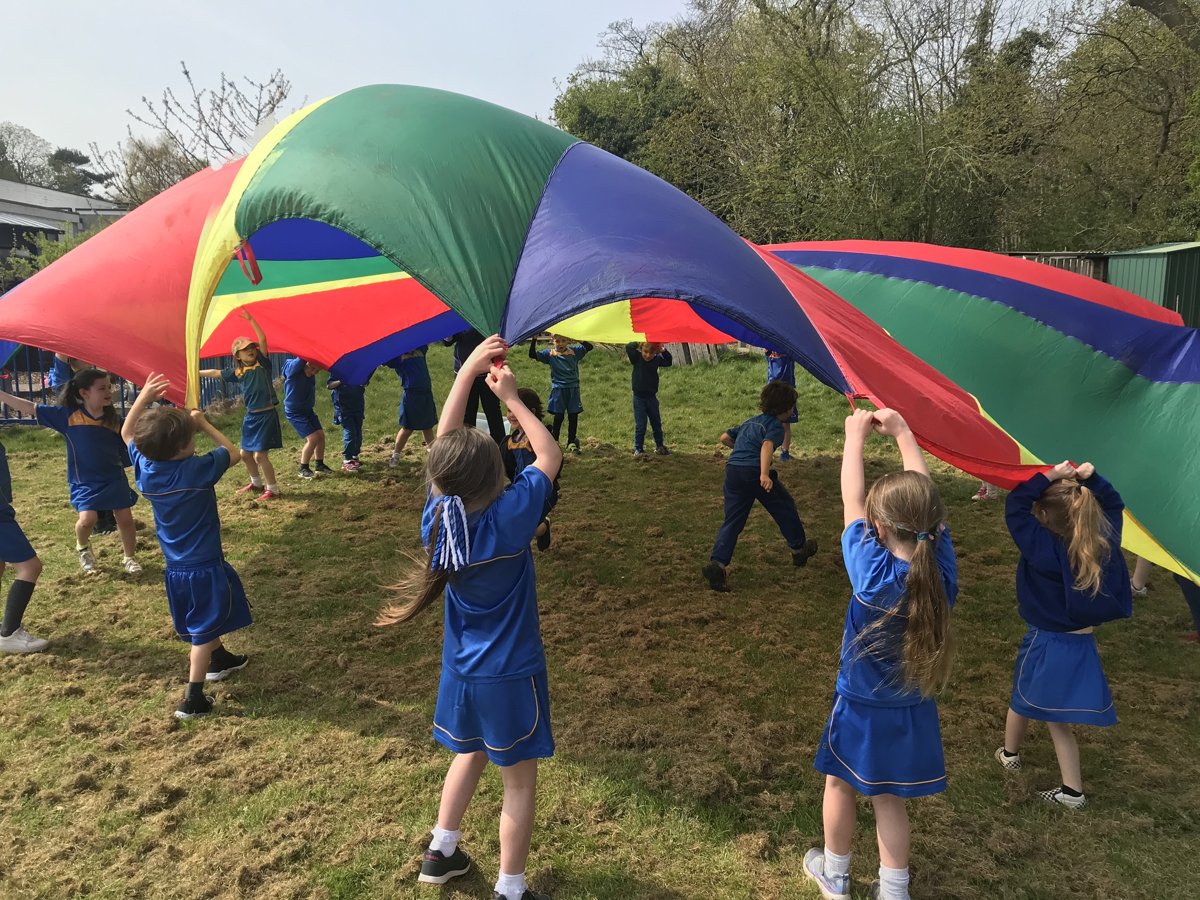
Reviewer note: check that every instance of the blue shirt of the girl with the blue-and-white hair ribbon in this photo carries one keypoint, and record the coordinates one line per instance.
(493, 631)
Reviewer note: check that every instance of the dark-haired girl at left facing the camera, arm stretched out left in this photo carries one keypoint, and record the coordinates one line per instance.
(97, 460)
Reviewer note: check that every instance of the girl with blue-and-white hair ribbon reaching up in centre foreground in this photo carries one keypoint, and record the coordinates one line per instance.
(493, 700)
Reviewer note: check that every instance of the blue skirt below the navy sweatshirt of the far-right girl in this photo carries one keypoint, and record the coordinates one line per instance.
(1059, 679)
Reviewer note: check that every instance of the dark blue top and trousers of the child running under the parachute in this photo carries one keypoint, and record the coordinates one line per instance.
(742, 489)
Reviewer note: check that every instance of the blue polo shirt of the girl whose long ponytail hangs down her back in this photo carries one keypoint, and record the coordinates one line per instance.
(872, 671)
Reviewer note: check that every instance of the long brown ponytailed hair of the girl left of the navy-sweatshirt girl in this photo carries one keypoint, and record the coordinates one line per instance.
(909, 506)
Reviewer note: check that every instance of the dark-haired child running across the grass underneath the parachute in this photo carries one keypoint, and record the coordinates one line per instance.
(749, 478)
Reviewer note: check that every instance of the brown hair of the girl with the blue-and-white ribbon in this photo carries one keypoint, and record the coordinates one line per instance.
(467, 464)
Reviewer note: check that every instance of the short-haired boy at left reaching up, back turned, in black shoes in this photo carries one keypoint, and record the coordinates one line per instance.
(205, 593)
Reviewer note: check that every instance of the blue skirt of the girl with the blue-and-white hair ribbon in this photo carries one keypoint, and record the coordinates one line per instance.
(507, 721)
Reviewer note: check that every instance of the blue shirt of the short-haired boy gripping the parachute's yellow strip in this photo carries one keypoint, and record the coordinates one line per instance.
(185, 505)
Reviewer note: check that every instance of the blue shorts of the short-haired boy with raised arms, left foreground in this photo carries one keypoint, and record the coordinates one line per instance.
(206, 602)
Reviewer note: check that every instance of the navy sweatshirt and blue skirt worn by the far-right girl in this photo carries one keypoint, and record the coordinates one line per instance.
(1059, 677)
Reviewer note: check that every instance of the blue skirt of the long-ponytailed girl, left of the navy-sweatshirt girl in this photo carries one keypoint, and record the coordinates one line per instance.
(896, 751)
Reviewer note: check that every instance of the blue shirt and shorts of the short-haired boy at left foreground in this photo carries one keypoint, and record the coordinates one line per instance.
(205, 593)
